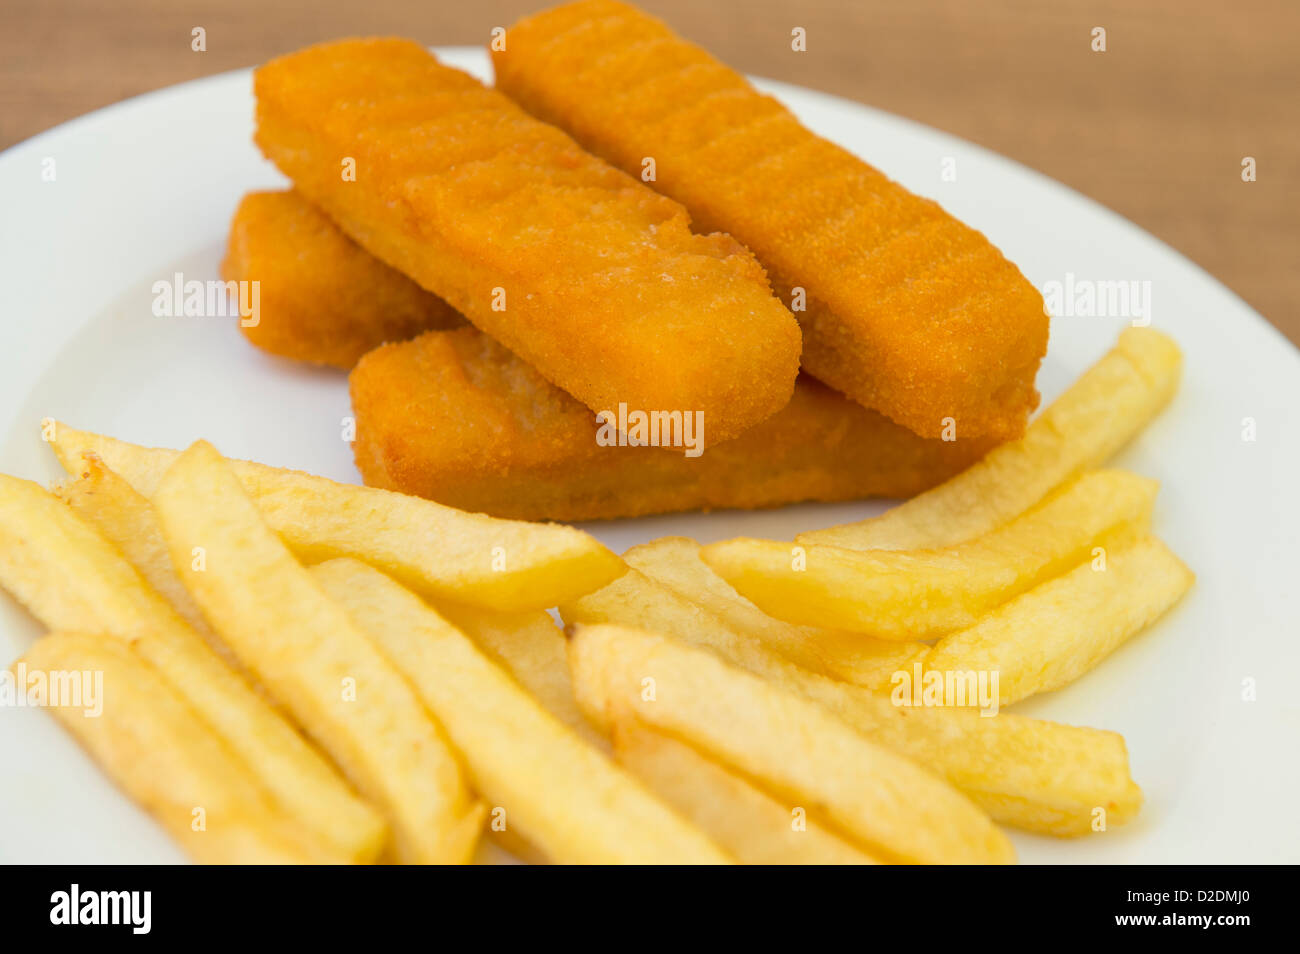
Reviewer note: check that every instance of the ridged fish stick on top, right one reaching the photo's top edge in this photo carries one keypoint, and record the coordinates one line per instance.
(908, 311)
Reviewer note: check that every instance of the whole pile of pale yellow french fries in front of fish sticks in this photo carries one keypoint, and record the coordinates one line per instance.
(300, 671)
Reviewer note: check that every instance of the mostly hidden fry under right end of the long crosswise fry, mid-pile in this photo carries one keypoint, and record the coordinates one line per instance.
(531, 648)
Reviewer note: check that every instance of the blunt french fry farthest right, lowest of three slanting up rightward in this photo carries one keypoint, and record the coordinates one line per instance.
(1059, 631)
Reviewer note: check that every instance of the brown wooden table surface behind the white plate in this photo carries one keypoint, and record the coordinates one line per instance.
(1156, 128)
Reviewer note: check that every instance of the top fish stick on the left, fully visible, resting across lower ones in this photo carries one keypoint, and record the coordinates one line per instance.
(580, 270)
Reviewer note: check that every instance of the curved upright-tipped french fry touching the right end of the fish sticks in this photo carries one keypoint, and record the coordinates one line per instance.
(1102, 413)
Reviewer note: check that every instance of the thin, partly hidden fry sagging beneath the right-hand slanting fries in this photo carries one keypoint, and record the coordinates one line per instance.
(851, 657)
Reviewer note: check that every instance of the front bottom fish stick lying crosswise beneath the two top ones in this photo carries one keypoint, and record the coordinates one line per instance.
(456, 418)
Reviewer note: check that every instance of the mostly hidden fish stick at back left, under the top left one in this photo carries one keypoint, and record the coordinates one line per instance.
(320, 298)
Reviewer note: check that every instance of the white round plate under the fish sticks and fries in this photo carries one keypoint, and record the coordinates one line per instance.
(148, 188)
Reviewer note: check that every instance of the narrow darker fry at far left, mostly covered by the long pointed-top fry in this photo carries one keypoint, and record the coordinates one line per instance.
(127, 521)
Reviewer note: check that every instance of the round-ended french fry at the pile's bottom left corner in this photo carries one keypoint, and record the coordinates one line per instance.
(167, 758)
